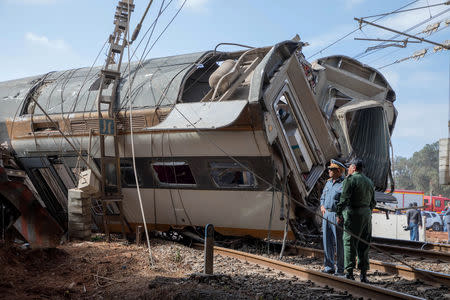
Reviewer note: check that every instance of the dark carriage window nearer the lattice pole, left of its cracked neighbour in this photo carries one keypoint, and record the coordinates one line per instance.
(173, 173)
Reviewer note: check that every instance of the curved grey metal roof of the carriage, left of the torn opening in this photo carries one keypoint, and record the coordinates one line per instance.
(157, 82)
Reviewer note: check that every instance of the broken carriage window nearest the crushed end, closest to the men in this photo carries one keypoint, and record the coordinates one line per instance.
(232, 175)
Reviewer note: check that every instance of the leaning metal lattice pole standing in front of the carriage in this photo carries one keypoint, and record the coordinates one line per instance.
(108, 106)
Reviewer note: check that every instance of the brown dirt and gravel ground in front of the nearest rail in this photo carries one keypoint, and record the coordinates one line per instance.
(100, 270)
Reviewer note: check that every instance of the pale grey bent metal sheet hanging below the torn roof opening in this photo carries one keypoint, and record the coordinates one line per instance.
(202, 115)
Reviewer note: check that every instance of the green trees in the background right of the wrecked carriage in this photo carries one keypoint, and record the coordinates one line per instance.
(417, 172)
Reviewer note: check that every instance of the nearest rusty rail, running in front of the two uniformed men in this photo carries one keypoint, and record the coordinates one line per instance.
(355, 288)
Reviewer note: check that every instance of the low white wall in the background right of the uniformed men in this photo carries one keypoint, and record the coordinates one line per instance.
(393, 227)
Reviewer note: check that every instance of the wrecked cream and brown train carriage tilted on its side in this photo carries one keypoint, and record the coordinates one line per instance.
(213, 133)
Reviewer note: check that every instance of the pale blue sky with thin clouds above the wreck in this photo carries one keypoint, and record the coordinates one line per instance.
(39, 36)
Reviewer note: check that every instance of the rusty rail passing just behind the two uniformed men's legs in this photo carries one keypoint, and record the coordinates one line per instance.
(433, 278)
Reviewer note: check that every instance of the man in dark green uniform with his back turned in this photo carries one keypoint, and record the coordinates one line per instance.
(355, 209)
